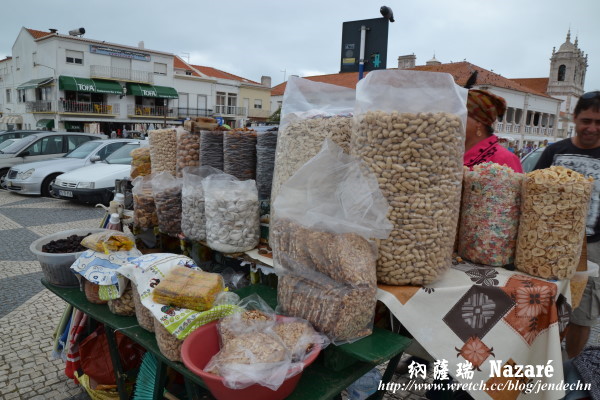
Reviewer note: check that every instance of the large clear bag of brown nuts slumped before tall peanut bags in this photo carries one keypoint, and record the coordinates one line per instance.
(326, 215)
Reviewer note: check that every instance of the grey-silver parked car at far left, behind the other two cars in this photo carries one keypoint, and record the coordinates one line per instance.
(40, 146)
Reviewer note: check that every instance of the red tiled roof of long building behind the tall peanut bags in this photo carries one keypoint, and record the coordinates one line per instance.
(460, 71)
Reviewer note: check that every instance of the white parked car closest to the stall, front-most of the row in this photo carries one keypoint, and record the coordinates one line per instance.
(96, 183)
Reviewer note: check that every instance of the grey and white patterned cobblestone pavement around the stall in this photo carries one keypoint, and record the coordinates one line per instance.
(29, 313)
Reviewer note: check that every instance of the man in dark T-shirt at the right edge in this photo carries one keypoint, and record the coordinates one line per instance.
(582, 154)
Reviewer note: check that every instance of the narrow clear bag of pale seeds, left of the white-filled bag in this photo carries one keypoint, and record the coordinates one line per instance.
(193, 221)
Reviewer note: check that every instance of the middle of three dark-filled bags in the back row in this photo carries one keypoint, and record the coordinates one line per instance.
(239, 153)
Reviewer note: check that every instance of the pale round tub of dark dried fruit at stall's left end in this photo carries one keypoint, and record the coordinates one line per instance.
(57, 252)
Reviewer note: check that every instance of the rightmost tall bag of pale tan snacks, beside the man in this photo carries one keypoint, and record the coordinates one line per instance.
(552, 225)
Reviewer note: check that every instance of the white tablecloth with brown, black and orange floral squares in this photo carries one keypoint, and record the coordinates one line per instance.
(482, 315)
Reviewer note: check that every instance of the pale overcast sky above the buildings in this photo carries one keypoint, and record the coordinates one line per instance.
(513, 38)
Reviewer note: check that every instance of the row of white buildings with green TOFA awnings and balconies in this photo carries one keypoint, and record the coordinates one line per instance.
(69, 82)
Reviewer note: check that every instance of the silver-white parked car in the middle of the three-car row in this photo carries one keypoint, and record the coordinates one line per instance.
(37, 178)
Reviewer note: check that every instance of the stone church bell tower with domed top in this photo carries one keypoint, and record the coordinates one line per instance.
(568, 67)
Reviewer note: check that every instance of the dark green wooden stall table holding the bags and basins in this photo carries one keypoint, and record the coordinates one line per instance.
(324, 379)
